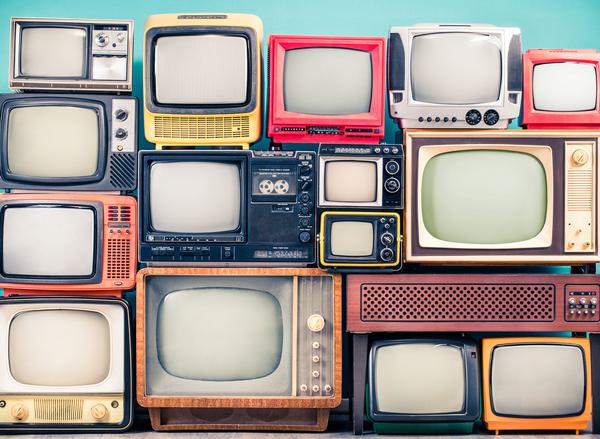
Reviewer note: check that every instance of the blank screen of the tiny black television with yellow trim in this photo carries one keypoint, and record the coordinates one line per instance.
(351, 238)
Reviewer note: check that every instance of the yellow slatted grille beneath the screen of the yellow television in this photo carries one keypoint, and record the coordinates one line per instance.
(189, 127)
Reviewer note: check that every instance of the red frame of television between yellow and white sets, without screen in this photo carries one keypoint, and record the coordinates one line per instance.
(279, 118)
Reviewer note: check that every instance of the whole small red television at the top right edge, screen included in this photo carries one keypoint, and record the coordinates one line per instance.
(561, 89)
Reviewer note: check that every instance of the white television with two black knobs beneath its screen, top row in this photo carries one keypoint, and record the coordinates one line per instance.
(454, 76)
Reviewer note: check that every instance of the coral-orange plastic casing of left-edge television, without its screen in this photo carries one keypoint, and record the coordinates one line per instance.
(107, 286)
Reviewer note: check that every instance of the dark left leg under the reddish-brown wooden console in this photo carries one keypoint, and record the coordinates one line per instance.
(360, 347)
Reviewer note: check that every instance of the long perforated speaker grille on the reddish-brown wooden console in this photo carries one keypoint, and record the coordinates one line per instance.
(457, 302)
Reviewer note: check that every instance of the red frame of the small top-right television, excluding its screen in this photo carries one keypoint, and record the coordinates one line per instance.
(535, 119)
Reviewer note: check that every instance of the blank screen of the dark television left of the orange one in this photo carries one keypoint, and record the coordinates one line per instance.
(419, 378)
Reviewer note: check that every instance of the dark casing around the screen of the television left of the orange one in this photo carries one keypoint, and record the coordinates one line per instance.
(470, 412)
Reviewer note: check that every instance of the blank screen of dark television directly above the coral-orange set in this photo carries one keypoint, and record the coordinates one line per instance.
(53, 141)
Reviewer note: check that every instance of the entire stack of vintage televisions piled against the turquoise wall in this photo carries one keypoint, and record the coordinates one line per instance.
(239, 309)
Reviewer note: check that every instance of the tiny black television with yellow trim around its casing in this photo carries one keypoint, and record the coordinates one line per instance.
(354, 240)
